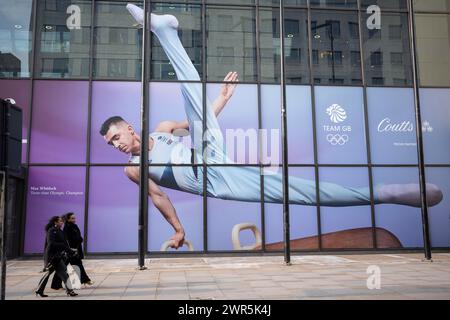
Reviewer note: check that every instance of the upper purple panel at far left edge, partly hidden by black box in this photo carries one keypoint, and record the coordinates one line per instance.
(20, 91)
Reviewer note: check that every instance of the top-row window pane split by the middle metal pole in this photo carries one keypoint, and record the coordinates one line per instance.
(296, 46)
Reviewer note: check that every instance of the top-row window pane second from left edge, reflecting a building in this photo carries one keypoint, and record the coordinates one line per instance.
(63, 43)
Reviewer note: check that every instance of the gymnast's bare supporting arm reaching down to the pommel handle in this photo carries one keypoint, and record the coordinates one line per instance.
(163, 204)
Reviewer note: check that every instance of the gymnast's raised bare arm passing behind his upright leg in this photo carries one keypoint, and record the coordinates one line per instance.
(225, 95)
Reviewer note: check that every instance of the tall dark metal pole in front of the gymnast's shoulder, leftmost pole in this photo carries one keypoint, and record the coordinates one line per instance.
(143, 165)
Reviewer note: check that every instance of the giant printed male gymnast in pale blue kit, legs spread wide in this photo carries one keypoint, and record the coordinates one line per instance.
(228, 183)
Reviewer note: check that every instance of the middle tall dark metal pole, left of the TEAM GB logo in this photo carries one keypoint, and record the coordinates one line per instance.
(287, 237)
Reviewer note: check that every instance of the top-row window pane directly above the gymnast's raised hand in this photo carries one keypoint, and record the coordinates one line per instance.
(231, 42)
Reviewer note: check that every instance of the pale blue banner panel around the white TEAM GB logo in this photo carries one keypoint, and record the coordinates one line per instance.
(351, 99)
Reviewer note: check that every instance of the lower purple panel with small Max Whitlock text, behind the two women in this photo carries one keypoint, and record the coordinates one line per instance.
(41, 208)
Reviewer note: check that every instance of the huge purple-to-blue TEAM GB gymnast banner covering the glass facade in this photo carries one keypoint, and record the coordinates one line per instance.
(241, 134)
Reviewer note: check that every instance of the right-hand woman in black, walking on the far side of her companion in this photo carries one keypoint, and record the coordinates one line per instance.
(75, 240)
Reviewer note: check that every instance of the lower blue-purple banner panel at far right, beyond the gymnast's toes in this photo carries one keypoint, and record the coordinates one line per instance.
(438, 215)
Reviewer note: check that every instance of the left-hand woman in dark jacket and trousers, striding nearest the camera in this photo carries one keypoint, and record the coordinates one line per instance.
(56, 249)
